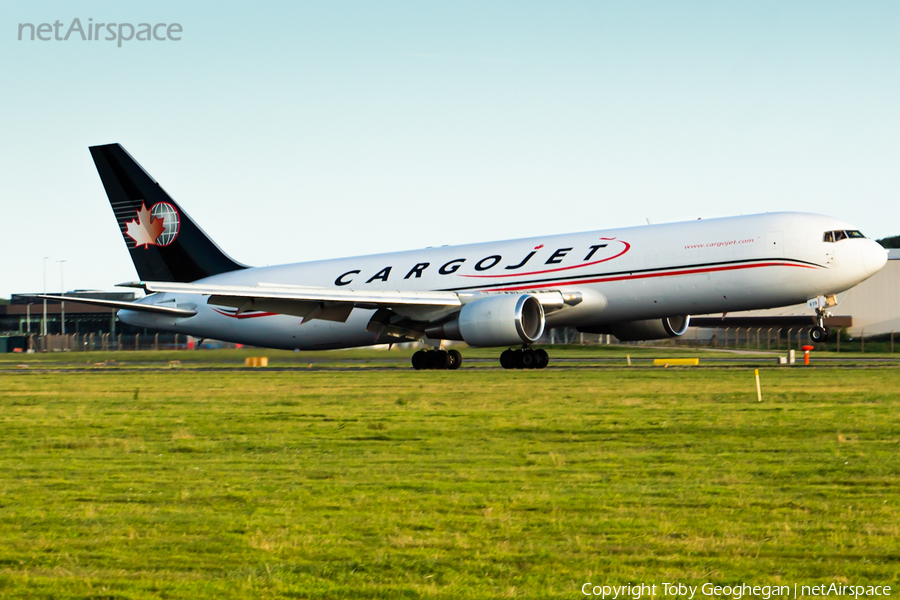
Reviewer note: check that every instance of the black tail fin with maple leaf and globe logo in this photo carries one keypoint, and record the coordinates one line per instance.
(164, 242)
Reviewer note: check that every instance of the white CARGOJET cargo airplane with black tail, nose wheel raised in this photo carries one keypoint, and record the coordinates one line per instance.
(636, 283)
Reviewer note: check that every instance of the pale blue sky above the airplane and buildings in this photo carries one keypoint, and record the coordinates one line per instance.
(300, 131)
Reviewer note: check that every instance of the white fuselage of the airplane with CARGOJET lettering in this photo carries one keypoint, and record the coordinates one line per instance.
(635, 273)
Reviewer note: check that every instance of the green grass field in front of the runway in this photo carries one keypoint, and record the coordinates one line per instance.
(480, 483)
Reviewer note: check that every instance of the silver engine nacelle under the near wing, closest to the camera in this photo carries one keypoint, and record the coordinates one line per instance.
(501, 320)
